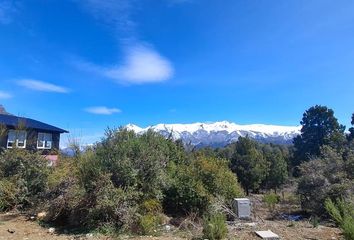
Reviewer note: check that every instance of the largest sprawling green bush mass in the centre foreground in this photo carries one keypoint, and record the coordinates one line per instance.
(120, 183)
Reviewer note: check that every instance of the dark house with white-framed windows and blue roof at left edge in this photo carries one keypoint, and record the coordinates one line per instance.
(29, 134)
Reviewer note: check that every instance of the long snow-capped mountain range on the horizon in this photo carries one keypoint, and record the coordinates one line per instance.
(222, 133)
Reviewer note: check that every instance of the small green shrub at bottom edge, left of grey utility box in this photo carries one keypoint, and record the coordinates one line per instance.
(214, 227)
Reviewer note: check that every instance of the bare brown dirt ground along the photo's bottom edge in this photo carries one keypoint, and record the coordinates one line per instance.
(17, 227)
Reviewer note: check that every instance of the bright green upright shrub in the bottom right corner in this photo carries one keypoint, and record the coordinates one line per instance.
(343, 214)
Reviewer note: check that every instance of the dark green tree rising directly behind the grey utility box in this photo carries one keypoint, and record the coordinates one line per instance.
(249, 164)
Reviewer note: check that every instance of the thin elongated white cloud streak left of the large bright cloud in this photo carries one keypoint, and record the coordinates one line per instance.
(41, 86)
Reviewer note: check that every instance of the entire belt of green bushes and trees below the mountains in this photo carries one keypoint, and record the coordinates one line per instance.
(130, 183)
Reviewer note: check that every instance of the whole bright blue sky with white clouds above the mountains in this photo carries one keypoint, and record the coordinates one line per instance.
(84, 65)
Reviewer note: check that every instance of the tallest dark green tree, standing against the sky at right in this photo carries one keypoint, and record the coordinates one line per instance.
(319, 127)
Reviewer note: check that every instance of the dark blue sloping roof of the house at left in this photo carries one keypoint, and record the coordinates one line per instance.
(14, 121)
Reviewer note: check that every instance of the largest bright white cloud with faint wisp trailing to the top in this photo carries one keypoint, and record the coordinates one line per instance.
(141, 63)
